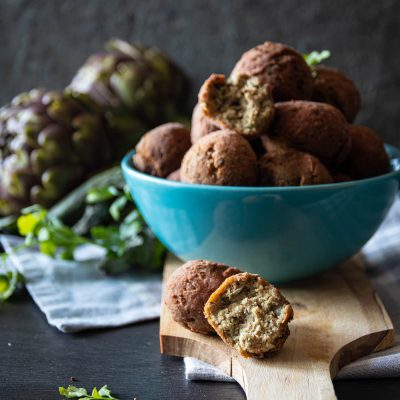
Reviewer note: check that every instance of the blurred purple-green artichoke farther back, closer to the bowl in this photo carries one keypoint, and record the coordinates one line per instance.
(132, 86)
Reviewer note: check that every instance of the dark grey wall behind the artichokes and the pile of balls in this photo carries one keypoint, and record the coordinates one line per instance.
(43, 42)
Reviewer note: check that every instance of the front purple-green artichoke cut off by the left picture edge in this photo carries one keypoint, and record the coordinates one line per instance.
(48, 145)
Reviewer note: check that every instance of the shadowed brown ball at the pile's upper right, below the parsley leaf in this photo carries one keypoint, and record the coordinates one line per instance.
(334, 87)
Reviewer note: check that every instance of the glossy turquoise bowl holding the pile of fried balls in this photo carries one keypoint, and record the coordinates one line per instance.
(282, 233)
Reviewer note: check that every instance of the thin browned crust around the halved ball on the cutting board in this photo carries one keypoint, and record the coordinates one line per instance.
(245, 277)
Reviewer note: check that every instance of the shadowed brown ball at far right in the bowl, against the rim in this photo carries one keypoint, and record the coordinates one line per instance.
(367, 156)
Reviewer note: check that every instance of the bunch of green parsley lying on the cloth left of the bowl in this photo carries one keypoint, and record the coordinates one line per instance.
(110, 221)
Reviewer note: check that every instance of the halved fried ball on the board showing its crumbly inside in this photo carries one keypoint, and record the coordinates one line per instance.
(249, 314)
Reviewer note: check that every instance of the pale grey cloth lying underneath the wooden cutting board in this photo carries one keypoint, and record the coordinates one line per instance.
(382, 259)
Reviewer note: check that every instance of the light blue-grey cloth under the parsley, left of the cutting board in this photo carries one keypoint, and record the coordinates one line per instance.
(77, 295)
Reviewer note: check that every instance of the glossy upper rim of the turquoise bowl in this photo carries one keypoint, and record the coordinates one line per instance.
(392, 151)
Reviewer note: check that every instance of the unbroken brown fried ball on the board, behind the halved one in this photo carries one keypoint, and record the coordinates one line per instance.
(189, 288)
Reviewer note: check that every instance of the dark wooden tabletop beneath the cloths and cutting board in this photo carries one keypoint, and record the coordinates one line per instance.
(36, 359)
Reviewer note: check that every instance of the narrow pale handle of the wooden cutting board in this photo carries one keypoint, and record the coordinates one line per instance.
(262, 381)
